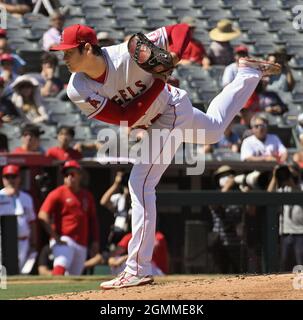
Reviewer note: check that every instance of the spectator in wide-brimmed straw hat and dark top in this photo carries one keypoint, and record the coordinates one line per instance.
(220, 50)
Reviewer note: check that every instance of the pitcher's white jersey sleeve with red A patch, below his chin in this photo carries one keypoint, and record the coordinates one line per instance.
(90, 102)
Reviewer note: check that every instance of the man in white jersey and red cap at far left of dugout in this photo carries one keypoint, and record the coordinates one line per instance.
(22, 207)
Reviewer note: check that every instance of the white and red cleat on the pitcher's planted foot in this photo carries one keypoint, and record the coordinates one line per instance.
(125, 279)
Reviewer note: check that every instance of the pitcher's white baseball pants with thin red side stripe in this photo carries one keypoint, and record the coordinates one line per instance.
(145, 177)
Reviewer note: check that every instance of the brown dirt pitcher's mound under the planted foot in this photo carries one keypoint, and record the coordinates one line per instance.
(197, 288)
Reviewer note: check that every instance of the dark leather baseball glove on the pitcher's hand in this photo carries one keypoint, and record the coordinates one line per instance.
(149, 57)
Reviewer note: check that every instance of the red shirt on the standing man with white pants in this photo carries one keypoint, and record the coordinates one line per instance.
(74, 214)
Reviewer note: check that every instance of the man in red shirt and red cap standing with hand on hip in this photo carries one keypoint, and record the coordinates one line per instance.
(68, 214)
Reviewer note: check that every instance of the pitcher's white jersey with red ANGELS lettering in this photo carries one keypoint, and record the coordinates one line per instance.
(124, 81)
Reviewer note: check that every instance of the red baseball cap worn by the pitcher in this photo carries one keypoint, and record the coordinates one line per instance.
(75, 35)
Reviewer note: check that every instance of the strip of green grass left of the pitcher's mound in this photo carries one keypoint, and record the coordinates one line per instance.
(31, 287)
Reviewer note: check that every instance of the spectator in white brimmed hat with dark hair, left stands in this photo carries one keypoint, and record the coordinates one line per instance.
(27, 99)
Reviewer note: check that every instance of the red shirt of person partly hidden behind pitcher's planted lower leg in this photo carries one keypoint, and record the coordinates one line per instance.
(160, 254)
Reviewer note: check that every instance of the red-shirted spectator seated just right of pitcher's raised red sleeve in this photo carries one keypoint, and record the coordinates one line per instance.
(194, 52)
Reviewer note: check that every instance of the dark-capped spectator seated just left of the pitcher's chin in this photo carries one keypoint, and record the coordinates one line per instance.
(49, 84)
